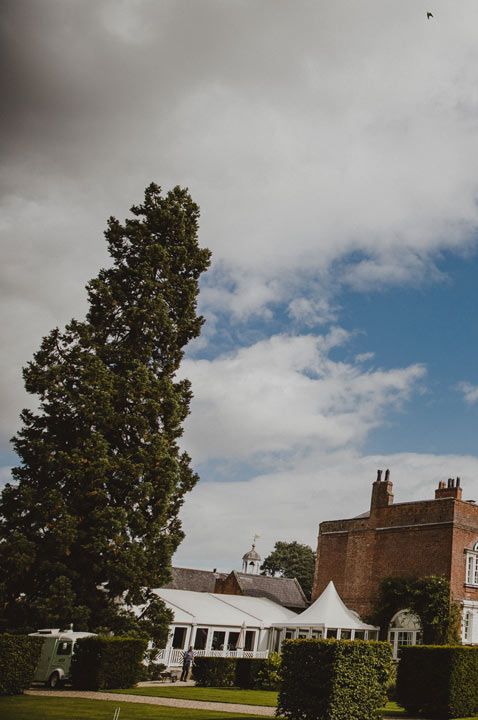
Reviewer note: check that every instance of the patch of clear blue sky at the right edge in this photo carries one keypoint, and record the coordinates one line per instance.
(434, 324)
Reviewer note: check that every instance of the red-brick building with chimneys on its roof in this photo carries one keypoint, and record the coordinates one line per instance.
(414, 539)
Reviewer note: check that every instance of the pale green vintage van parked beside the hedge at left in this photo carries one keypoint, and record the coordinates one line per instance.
(55, 660)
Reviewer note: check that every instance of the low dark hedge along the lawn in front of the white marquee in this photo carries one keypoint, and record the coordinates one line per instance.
(248, 674)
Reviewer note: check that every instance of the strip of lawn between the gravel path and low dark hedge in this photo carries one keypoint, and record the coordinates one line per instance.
(226, 695)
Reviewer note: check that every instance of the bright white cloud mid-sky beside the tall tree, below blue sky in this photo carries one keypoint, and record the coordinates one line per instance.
(284, 395)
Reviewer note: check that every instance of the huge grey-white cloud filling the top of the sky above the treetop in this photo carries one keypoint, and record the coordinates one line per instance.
(325, 141)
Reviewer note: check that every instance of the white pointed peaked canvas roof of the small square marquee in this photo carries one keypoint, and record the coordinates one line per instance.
(330, 611)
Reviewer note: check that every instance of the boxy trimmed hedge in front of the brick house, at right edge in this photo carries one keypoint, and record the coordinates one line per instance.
(439, 680)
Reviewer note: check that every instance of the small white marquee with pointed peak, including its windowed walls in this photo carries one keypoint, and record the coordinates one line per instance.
(327, 617)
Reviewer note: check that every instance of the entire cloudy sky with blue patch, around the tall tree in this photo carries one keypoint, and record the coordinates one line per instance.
(332, 148)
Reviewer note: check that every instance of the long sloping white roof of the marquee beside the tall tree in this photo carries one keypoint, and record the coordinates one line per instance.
(223, 610)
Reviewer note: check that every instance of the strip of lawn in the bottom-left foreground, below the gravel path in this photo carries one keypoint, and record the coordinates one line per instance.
(25, 707)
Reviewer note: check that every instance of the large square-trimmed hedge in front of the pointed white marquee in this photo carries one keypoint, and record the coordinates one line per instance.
(334, 679)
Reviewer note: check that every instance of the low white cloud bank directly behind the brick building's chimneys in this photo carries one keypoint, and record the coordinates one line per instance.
(220, 518)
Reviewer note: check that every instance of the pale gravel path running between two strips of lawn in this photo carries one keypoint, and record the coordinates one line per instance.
(169, 702)
